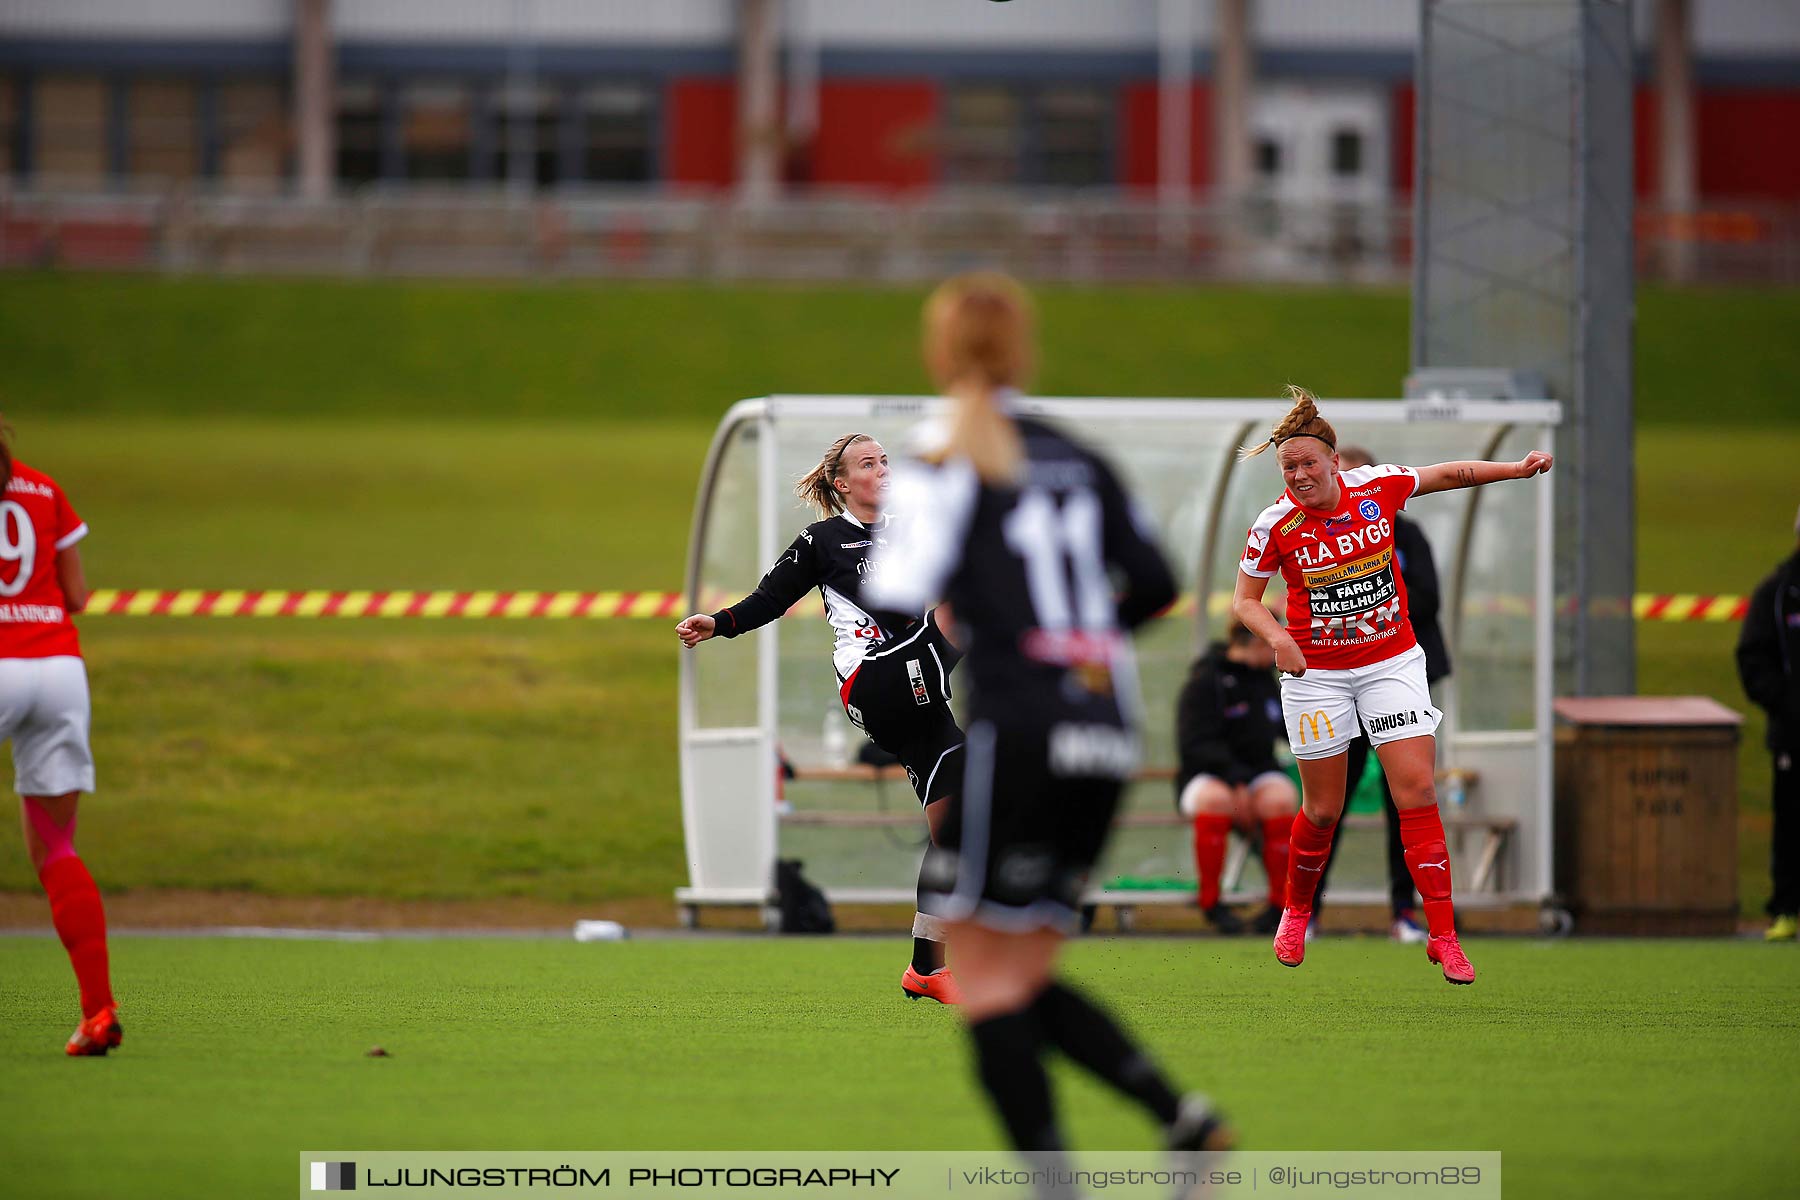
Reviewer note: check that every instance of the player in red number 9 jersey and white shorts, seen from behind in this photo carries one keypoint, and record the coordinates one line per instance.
(44, 710)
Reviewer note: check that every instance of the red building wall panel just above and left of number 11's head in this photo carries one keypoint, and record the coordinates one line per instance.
(876, 134)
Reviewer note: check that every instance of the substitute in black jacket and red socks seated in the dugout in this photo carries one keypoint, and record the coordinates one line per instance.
(1228, 722)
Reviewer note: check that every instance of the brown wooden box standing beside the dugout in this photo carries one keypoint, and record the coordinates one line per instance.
(1648, 814)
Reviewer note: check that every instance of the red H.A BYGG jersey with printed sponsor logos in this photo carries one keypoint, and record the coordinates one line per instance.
(1345, 596)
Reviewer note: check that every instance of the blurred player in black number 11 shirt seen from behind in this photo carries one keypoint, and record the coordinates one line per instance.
(1027, 537)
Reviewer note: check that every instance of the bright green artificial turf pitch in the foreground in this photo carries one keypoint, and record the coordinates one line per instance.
(1639, 1070)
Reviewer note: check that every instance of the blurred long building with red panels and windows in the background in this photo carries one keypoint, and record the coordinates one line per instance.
(859, 94)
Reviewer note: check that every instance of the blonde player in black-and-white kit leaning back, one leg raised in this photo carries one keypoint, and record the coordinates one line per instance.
(894, 668)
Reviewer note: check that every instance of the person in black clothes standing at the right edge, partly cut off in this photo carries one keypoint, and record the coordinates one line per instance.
(1768, 665)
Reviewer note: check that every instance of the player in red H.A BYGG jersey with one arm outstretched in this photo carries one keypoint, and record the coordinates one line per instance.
(1349, 654)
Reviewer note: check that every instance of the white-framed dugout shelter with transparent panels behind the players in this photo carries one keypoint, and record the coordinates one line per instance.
(764, 746)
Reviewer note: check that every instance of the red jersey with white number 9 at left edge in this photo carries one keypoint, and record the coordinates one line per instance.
(37, 523)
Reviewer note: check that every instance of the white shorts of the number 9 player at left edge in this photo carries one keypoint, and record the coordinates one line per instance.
(44, 710)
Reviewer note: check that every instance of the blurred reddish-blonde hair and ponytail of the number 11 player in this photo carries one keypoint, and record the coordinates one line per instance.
(978, 336)
